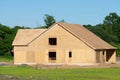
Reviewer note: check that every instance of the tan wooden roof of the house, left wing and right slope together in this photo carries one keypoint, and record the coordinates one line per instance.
(89, 38)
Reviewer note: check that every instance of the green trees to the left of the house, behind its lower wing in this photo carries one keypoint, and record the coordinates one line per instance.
(7, 35)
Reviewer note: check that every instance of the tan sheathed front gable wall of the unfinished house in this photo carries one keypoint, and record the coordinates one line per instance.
(66, 43)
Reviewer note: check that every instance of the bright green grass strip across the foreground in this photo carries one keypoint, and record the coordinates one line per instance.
(28, 73)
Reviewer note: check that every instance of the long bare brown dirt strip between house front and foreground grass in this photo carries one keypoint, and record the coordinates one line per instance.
(107, 65)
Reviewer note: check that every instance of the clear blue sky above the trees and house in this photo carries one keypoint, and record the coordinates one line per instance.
(30, 13)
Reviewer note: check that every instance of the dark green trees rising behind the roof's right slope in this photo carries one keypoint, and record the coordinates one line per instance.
(109, 30)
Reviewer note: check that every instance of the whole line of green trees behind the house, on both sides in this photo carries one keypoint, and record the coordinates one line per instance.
(108, 30)
